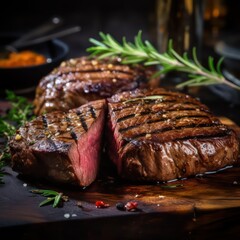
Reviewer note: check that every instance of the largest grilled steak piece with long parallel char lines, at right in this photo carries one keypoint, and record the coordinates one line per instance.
(158, 135)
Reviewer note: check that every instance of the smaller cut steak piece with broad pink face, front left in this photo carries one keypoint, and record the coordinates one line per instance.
(62, 147)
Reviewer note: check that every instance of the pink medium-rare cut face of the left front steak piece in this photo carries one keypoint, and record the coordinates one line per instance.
(85, 155)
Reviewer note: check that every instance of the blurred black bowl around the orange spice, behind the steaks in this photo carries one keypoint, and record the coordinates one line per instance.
(25, 79)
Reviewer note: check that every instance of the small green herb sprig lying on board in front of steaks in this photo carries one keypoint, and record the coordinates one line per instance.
(52, 197)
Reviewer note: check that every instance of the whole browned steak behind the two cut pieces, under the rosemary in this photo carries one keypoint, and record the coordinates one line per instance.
(81, 80)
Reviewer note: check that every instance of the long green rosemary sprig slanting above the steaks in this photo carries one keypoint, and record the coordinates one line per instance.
(144, 52)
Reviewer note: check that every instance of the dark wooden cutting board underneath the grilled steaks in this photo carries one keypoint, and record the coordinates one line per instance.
(203, 207)
